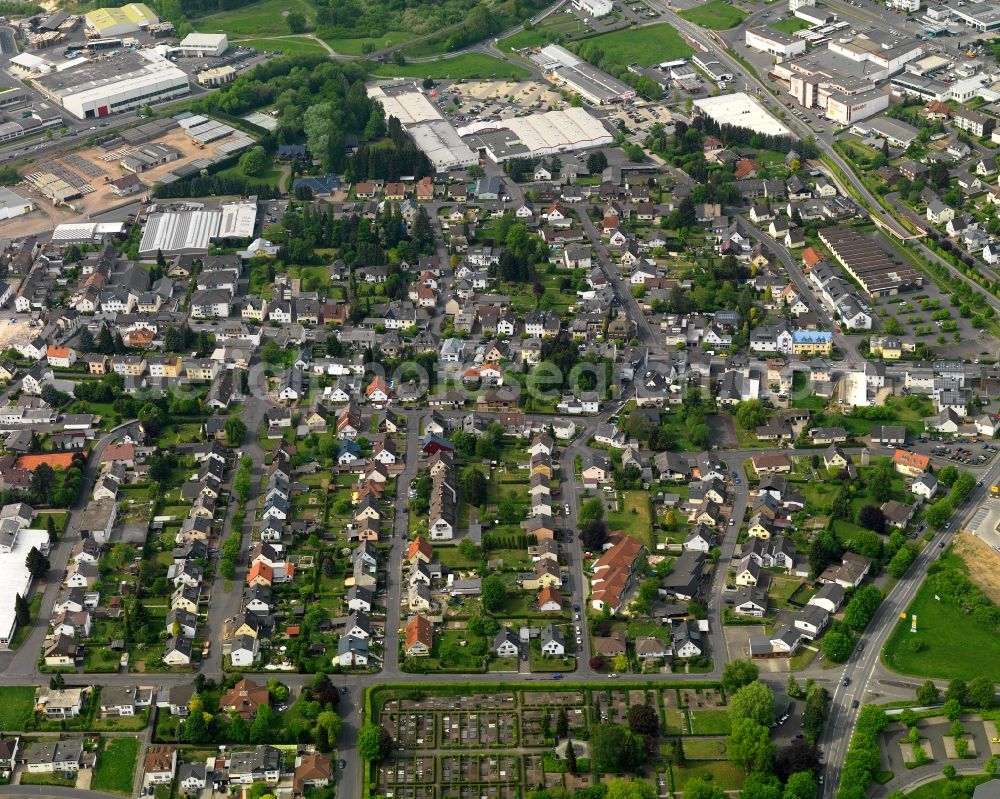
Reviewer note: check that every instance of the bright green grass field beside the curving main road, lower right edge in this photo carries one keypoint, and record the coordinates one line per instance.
(942, 630)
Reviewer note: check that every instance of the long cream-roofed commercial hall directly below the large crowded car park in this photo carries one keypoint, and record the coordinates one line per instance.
(538, 135)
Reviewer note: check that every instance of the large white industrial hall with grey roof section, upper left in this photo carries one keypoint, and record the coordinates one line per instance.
(114, 84)
